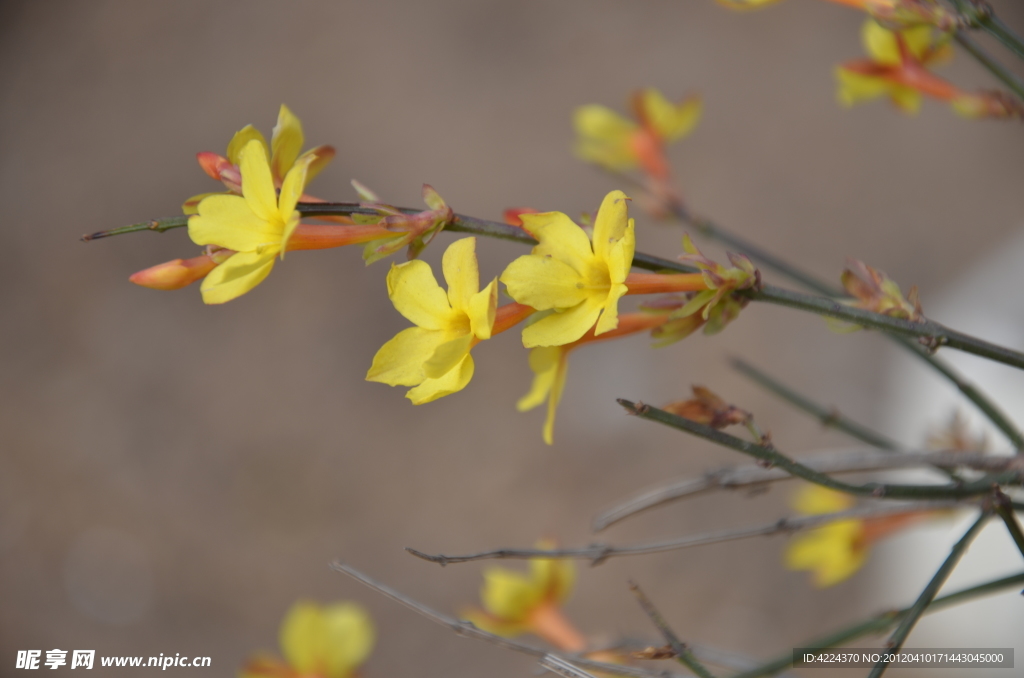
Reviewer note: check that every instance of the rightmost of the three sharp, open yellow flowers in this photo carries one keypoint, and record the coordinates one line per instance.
(580, 282)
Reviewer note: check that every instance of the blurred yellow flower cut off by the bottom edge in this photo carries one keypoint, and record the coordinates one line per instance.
(328, 642)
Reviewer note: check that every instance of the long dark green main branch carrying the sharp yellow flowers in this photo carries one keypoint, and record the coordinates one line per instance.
(933, 334)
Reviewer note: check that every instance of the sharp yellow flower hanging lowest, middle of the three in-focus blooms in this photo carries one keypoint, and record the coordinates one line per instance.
(434, 357)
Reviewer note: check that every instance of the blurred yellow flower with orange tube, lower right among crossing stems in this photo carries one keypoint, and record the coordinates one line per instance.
(835, 552)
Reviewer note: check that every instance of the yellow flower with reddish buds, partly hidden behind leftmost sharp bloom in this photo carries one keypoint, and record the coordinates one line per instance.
(285, 151)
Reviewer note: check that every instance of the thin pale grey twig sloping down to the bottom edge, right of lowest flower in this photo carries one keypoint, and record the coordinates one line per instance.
(468, 630)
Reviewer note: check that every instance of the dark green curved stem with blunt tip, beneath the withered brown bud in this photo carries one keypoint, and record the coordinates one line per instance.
(776, 458)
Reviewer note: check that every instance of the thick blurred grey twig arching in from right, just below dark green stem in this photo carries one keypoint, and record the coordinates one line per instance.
(754, 477)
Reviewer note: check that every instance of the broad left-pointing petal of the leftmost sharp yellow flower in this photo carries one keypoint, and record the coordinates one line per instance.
(228, 222)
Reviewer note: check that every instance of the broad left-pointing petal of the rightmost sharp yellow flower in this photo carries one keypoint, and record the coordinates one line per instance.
(544, 283)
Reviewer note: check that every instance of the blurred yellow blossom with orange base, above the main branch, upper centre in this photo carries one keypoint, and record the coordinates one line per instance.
(613, 142)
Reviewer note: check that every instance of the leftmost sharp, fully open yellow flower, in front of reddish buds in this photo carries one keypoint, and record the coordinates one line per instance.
(257, 225)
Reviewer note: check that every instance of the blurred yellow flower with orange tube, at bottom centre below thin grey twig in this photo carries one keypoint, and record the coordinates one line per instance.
(517, 603)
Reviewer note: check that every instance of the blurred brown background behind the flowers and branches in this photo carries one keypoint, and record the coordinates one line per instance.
(174, 477)
